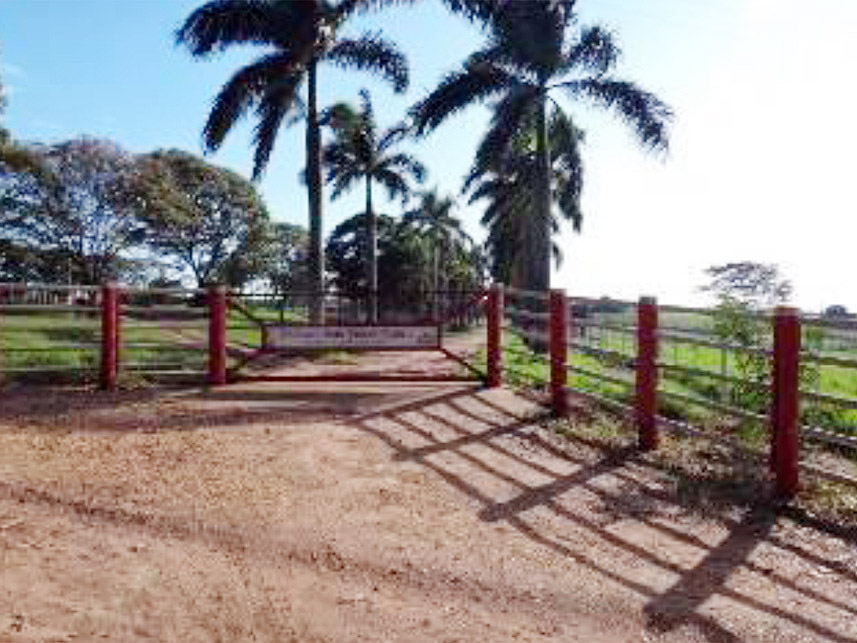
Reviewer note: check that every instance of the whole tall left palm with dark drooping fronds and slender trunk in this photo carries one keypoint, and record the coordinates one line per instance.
(299, 35)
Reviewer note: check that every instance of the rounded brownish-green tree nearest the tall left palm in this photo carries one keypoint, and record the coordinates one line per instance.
(207, 219)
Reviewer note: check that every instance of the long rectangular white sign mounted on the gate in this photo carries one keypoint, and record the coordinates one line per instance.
(359, 337)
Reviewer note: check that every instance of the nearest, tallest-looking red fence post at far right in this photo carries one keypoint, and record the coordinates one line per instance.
(785, 401)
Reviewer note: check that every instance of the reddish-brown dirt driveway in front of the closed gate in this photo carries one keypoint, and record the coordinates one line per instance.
(376, 512)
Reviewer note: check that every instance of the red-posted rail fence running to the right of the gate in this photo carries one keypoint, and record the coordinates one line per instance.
(669, 366)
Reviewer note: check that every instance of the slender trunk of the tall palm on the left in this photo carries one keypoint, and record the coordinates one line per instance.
(316, 240)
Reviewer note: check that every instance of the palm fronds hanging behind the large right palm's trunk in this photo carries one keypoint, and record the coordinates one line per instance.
(508, 184)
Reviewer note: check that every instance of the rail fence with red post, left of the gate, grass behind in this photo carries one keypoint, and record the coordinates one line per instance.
(59, 334)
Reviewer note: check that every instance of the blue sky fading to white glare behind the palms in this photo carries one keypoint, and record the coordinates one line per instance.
(759, 166)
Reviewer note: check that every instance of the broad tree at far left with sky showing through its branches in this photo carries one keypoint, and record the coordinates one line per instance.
(72, 201)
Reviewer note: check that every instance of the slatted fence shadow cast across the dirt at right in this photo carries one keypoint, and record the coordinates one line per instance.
(456, 435)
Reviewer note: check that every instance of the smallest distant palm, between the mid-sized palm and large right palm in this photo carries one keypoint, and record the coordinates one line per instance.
(434, 219)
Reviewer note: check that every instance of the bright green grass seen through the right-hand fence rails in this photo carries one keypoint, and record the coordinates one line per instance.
(610, 352)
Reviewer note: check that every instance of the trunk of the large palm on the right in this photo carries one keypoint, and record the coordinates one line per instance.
(538, 276)
